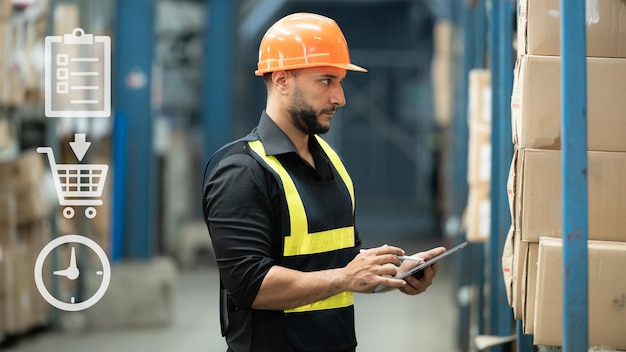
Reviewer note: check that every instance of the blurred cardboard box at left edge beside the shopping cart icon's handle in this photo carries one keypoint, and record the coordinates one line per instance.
(22, 174)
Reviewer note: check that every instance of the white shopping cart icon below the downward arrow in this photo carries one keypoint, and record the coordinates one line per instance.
(77, 184)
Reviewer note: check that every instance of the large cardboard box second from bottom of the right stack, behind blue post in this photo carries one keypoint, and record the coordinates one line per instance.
(538, 195)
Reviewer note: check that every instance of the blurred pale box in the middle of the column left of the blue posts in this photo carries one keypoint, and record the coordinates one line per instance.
(479, 158)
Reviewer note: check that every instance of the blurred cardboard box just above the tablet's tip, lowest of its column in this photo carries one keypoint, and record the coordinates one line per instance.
(478, 214)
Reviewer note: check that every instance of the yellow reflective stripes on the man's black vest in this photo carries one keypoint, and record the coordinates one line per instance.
(299, 241)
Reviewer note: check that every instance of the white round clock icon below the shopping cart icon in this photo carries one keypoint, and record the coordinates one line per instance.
(72, 272)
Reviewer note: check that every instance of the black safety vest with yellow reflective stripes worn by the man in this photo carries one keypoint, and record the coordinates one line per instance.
(318, 234)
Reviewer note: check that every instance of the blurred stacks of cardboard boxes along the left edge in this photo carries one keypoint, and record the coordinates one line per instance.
(24, 209)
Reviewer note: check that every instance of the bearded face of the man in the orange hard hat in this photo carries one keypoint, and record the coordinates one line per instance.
(316, 96)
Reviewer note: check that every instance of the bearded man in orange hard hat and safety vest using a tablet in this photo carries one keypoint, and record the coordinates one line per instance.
(279, 205)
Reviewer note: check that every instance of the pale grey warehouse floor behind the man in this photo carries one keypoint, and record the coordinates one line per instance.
(385, 322)
